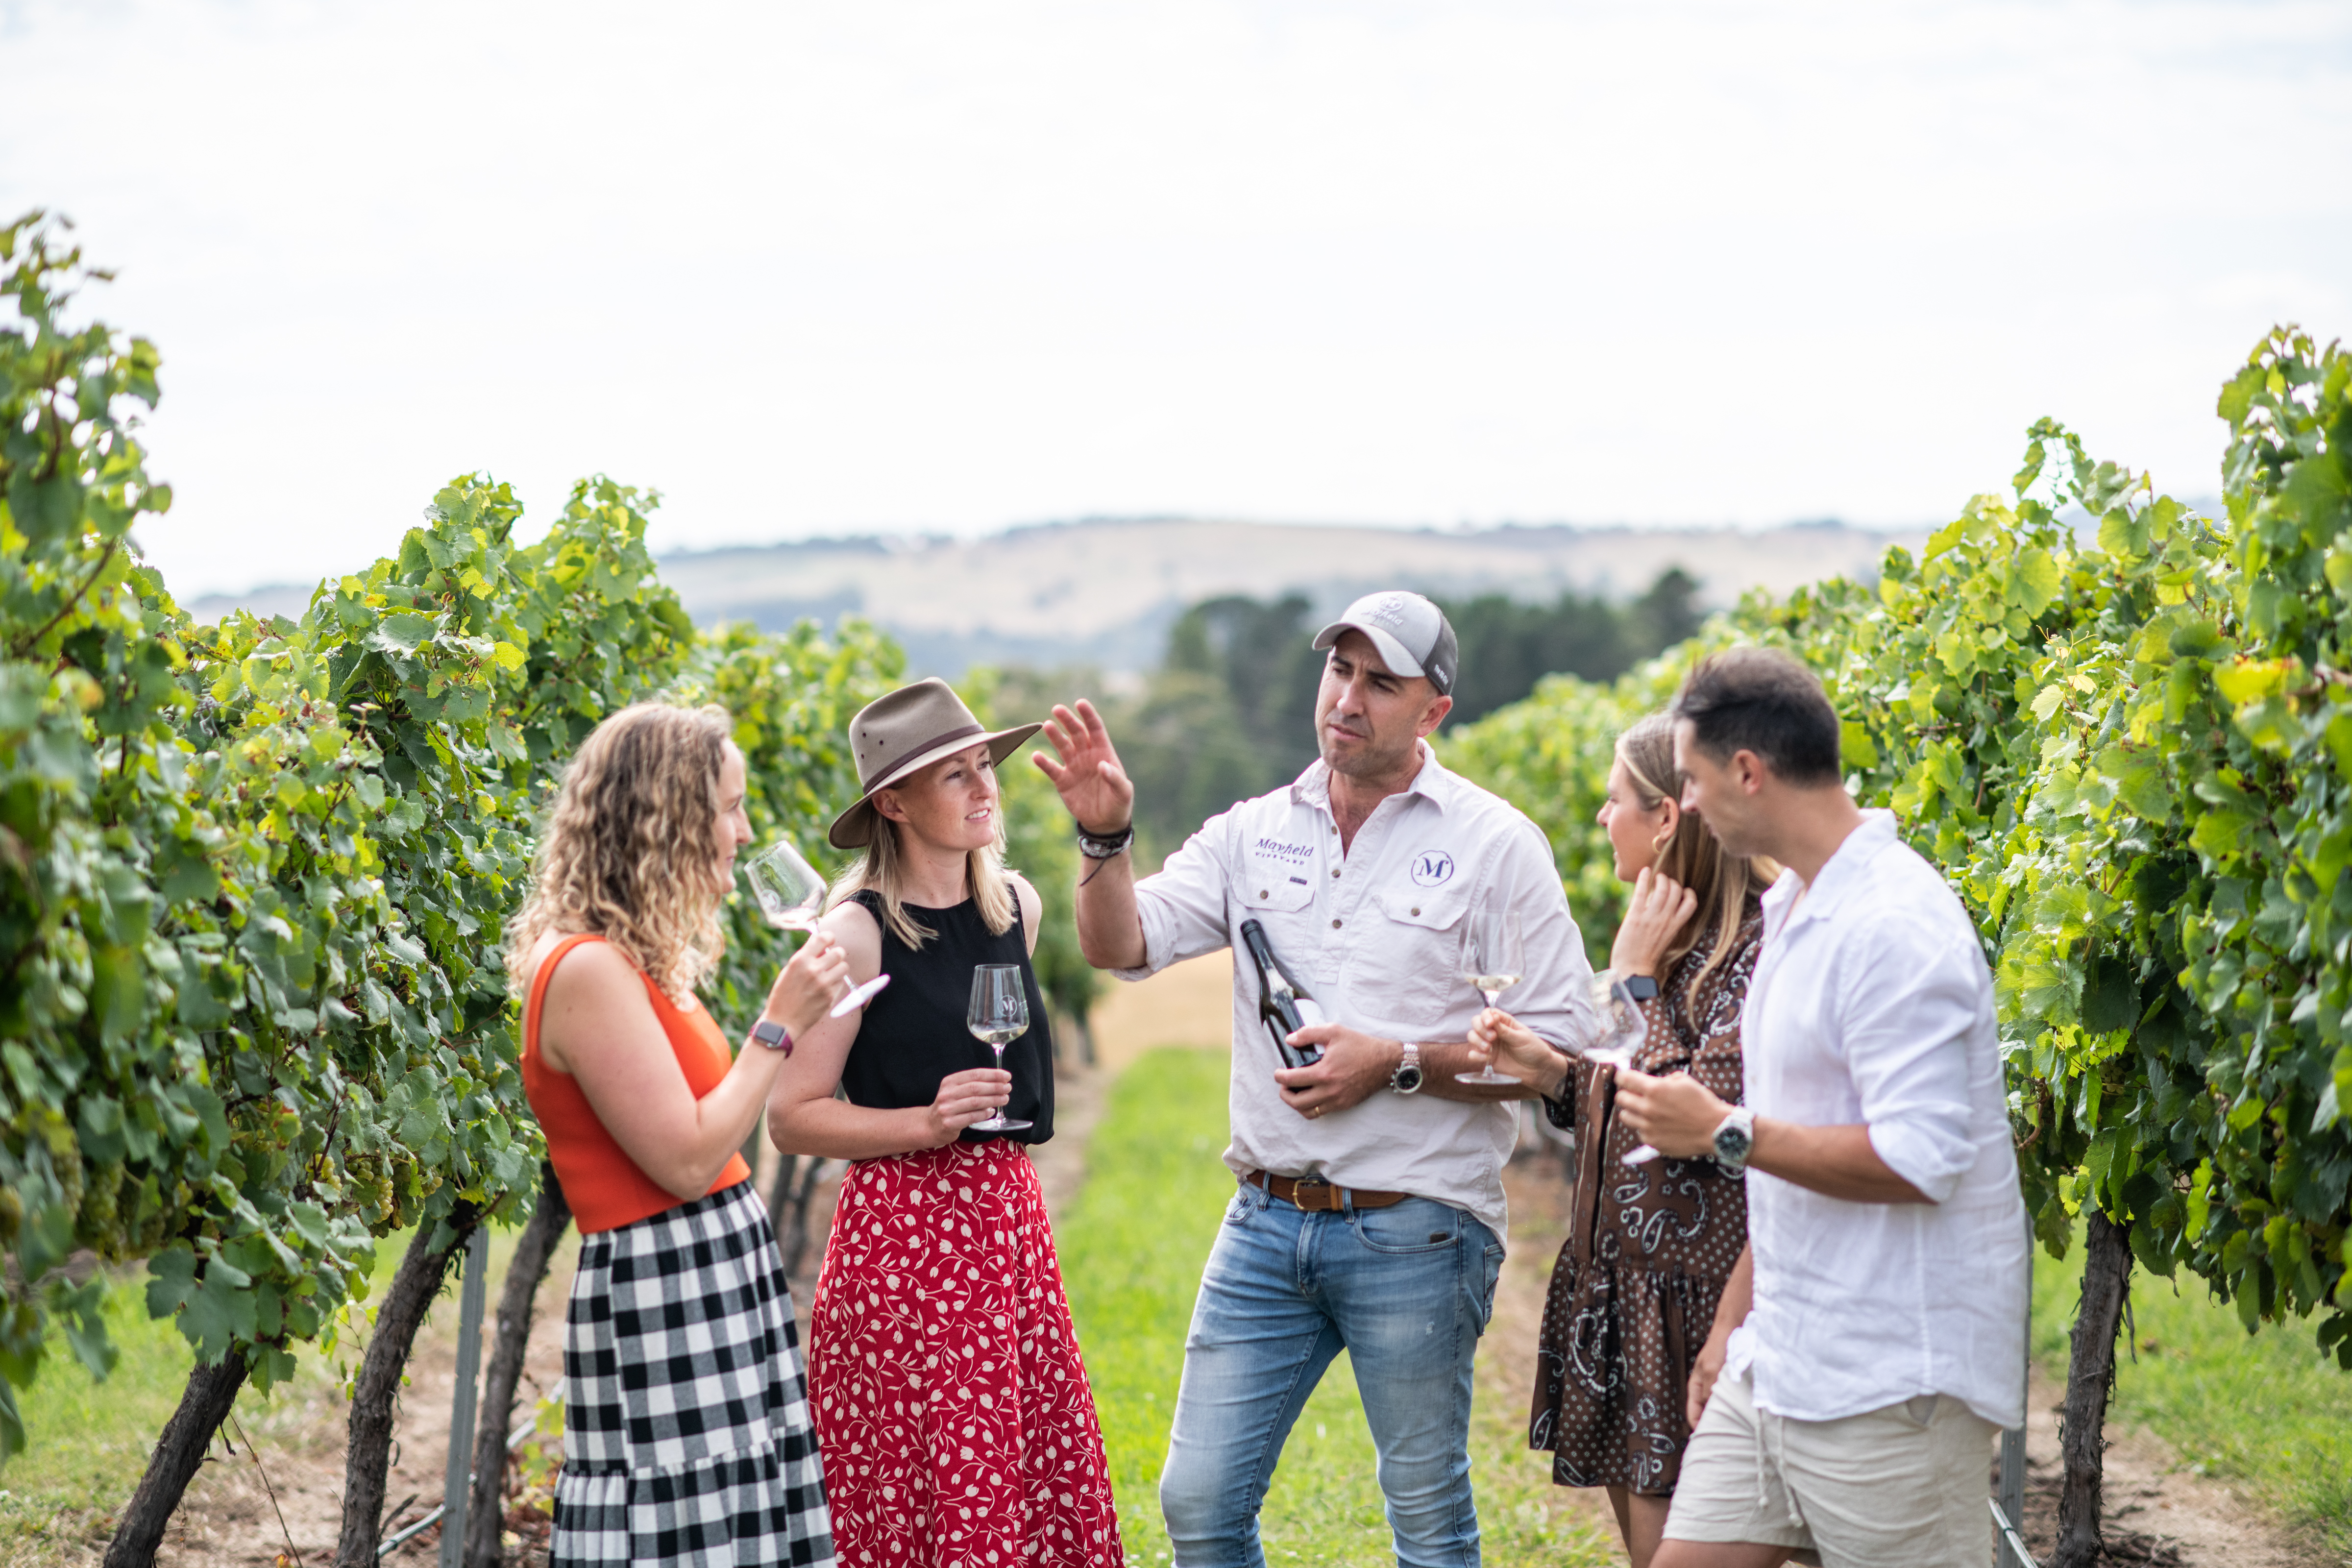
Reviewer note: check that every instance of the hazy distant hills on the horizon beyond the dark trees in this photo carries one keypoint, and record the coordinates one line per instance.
(1107, 591)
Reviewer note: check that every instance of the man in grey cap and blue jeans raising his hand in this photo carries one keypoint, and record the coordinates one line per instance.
(1370, 1207)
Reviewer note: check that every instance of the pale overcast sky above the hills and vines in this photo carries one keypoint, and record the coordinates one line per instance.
(902, 264)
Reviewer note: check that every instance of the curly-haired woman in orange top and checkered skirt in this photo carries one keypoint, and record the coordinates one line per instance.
(688, 1433)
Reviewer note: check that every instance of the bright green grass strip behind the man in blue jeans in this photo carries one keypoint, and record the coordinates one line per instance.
(1132, 1252)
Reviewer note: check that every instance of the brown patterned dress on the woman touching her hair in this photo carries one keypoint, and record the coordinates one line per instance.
(1650, 1247)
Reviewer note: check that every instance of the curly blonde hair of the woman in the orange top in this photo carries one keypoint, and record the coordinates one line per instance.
(632, 845)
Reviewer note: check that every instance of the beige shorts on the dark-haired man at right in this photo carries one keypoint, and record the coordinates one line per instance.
(1904, 1485)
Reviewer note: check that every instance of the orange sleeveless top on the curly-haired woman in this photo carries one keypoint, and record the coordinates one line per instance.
(601, 1181)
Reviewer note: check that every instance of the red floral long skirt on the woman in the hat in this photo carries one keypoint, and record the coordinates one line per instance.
(951, 1407)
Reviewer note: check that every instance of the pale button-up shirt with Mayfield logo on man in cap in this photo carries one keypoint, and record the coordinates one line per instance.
(1375, 934)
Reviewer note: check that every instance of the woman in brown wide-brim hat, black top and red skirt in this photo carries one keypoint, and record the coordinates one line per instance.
(951, 1407)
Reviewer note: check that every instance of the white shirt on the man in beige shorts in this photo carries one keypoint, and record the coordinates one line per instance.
(1871, 1005)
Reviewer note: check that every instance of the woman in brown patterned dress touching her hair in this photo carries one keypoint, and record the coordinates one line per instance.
(1650, 1247)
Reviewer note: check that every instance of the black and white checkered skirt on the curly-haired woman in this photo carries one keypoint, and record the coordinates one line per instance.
(688, 1430)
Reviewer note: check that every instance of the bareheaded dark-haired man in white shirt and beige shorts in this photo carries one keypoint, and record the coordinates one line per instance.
(1873, 1336)
